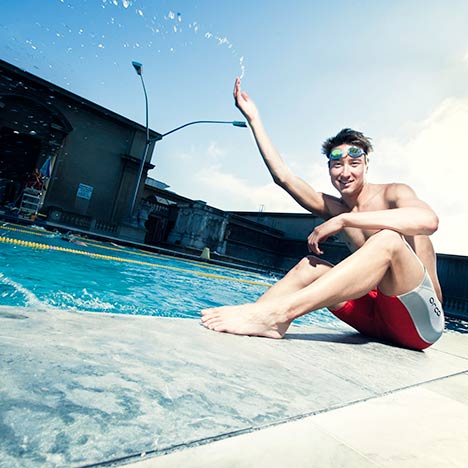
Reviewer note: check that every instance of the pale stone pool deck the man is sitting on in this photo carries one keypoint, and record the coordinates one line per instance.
(89, 389)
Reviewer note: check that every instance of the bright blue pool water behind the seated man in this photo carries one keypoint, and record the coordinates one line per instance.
(127, 281)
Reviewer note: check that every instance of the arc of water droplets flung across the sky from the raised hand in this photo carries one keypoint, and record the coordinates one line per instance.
(128, 23)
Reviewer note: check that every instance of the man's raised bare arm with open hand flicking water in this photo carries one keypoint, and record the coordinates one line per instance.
(300, 190)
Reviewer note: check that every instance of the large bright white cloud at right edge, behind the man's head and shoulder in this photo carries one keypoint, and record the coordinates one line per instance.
(433, 162)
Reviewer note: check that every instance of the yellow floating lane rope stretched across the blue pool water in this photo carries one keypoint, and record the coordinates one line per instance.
(37, 245)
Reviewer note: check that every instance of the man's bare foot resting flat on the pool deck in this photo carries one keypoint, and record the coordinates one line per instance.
(256, 319)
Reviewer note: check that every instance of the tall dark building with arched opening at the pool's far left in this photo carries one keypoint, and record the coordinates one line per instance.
(87, 157)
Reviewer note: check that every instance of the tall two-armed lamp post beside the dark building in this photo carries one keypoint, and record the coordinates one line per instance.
(139, 70)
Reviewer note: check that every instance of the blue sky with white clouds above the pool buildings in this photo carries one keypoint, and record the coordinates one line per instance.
(396, 70)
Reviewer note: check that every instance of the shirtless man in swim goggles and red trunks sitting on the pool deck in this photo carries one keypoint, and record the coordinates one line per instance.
(386, 289)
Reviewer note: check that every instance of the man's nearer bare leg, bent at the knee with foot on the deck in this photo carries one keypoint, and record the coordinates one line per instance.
(384, 261)
